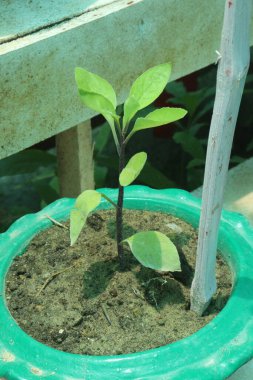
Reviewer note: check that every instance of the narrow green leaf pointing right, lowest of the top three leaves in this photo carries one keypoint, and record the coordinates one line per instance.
(158, 117)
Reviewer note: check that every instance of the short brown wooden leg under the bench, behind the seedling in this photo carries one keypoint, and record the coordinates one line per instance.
(75, 160)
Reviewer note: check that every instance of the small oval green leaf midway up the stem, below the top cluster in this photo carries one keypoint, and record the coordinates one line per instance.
(132, 169)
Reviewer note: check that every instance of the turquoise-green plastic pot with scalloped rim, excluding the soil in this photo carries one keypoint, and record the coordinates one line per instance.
(214, 352)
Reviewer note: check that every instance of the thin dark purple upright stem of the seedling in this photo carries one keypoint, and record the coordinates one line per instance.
(119, 216)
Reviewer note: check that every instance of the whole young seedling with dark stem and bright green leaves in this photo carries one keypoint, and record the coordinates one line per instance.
(151, 248)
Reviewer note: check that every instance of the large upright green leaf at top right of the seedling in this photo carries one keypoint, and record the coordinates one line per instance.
(146, 88)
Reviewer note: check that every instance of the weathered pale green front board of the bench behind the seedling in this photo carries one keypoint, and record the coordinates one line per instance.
(118, 40)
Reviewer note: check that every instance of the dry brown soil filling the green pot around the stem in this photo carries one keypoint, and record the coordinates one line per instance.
(75, 298)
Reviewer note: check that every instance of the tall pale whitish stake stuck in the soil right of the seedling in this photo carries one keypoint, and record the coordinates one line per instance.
(232, 71)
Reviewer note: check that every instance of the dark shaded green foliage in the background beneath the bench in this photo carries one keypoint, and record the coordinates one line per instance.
(176, 152)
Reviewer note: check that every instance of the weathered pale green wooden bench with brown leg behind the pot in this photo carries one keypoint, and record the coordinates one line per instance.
(119, 39)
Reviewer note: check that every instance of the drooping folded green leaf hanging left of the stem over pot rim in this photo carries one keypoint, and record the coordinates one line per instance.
(86, 202)
